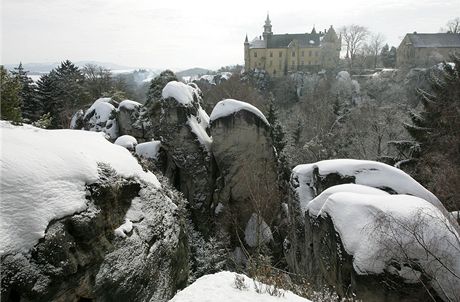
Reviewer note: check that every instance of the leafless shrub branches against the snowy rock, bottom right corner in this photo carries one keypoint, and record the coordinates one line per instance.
(427, 245)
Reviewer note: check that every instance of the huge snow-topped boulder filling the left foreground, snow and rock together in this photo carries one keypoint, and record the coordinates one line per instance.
(80, 219)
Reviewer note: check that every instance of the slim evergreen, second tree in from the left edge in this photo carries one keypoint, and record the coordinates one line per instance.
(31, 108)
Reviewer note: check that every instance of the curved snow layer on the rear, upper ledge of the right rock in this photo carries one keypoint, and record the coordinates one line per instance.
(368, 173)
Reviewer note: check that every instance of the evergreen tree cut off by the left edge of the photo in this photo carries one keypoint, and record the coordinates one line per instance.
(10, 93)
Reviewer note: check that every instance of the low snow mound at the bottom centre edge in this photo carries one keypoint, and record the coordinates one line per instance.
(220, 287)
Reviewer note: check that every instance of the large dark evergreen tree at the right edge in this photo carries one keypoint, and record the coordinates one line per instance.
(436, 130)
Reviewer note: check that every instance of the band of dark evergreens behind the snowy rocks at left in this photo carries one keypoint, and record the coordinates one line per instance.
(51, 102)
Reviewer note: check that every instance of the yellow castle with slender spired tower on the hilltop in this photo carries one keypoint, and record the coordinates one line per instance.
(280, 54)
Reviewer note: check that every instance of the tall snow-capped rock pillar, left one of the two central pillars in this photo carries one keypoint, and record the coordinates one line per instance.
(180, 123)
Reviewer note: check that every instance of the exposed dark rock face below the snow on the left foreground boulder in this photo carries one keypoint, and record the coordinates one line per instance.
(81, 257)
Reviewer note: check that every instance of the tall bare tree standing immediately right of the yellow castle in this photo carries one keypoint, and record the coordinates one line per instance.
(354, 37)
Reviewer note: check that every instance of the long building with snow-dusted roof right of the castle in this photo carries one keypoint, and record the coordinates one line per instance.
(423, 50)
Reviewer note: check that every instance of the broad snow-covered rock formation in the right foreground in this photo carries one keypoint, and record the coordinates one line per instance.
(352, 226)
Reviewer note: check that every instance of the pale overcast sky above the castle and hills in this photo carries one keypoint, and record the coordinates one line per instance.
(181, 34)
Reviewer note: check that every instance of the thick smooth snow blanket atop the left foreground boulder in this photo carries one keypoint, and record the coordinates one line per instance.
(44, 173)
